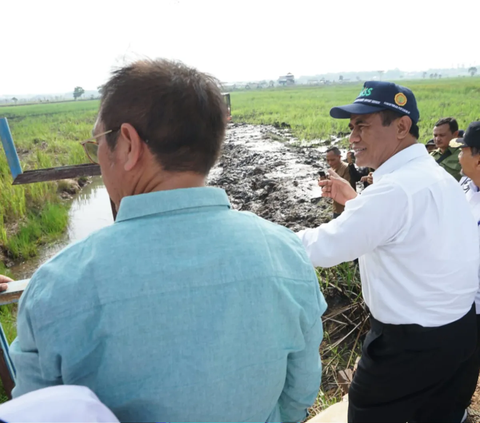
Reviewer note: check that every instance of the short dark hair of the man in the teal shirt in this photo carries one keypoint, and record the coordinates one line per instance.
(179, 110)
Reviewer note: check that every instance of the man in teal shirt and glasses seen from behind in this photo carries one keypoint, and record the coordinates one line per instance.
(183, 309)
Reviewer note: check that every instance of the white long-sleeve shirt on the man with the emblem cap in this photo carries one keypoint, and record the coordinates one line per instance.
(416, 241)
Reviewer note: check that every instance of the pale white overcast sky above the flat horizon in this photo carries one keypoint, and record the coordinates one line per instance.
(52, 46)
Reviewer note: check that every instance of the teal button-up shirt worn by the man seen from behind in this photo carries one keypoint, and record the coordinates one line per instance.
(182, 310)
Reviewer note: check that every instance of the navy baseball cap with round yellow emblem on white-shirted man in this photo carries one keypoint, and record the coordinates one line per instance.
(377, 96)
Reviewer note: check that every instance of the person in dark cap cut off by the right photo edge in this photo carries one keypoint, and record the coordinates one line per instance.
(469, 159)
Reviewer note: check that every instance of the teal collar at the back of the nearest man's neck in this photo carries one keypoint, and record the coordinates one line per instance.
(141, 205)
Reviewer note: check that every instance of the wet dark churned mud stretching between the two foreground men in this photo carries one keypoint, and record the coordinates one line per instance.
(268, 172)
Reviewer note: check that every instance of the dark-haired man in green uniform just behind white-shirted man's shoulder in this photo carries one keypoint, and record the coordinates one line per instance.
(446, 155)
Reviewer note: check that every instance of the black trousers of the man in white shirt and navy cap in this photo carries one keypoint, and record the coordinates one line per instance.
(411, 373)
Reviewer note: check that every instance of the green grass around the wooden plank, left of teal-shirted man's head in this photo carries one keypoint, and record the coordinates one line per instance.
(45, 136)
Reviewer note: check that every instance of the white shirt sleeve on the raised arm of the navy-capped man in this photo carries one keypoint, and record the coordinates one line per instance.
(371, 219)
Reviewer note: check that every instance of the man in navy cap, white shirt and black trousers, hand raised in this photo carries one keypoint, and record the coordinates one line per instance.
(419, 254)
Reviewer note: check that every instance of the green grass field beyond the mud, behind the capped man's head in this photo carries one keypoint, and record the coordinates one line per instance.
(306, 109)
